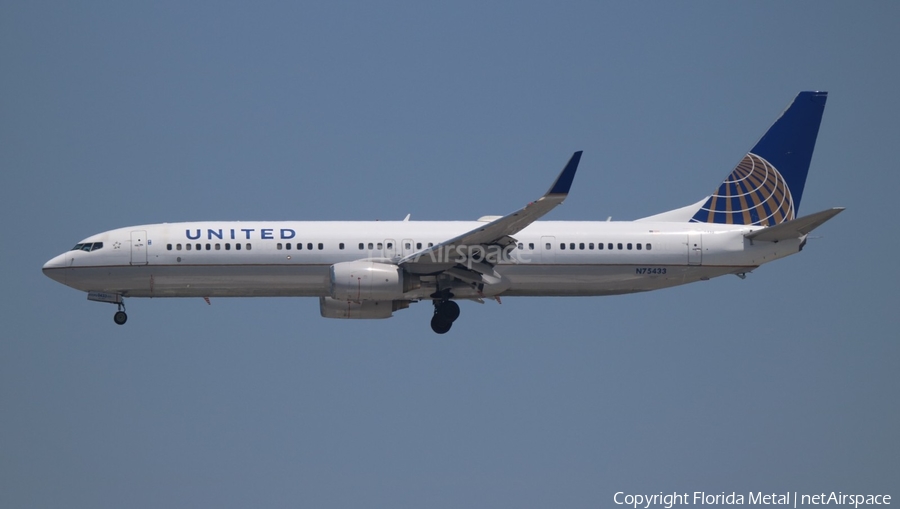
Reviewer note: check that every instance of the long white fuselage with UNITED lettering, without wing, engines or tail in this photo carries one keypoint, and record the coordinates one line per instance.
(292, 259)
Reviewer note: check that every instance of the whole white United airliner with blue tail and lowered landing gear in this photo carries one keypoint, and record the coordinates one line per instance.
(370, 269)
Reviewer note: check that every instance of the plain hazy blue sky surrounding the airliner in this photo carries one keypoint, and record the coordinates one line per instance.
(115, 114)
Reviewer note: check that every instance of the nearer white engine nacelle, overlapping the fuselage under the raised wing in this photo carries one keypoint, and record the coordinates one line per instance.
(364, 281)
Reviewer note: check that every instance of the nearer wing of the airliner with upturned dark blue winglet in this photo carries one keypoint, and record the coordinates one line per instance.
(498, 232)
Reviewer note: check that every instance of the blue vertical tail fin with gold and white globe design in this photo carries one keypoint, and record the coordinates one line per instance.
(766, 187)
